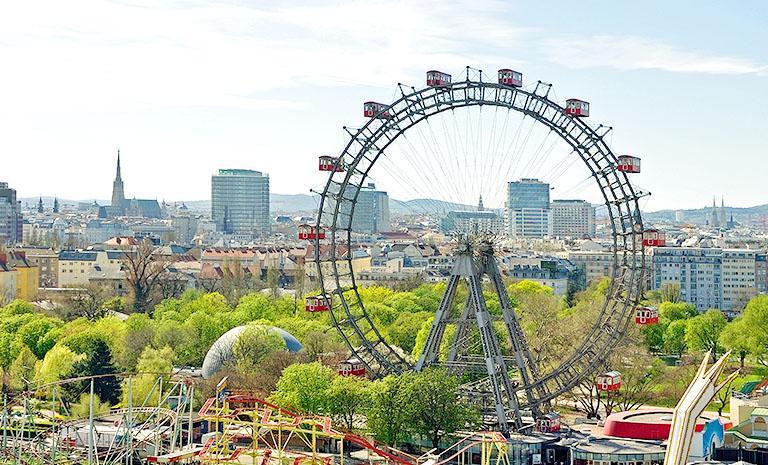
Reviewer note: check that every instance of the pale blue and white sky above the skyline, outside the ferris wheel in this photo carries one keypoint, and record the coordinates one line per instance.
(184, 88)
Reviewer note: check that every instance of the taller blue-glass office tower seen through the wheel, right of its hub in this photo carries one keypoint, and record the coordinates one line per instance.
(528, 212)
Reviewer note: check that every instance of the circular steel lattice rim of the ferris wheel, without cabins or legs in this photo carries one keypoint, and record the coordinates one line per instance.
(535, 105)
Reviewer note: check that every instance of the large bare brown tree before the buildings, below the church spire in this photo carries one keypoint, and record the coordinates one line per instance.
(143, 270)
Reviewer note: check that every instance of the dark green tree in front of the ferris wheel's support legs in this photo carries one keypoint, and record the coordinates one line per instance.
(438, 410)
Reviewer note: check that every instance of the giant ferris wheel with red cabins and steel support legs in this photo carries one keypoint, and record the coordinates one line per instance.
(510, 388)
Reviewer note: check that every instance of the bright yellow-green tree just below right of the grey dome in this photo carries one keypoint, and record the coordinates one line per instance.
(304, 387)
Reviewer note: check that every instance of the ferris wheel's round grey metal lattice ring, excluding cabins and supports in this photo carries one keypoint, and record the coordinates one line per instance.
(335, 255)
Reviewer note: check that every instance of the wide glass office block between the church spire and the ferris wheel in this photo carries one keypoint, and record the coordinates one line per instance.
(240, 202)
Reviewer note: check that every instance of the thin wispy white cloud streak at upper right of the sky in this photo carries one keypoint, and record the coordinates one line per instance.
(631, 53)
